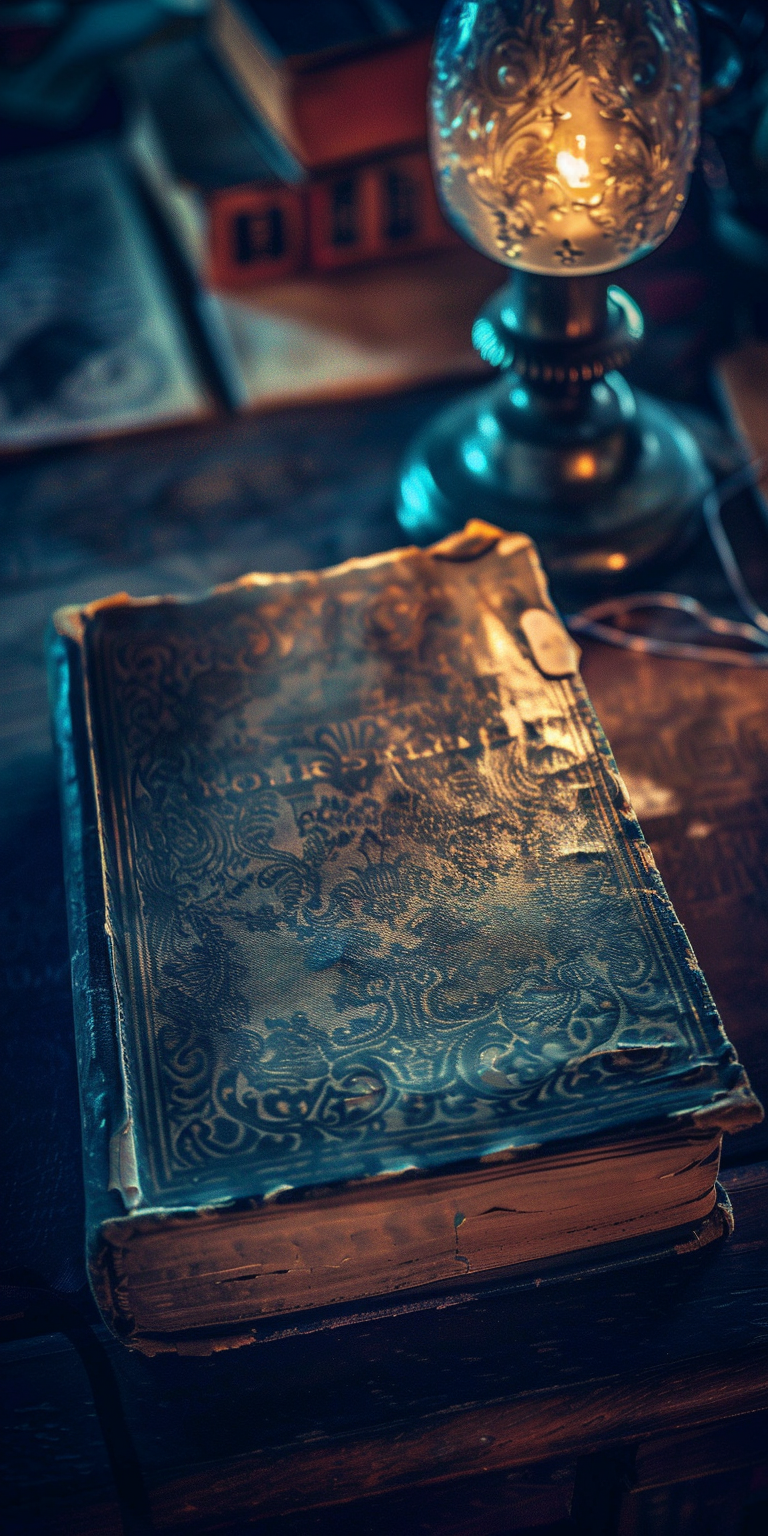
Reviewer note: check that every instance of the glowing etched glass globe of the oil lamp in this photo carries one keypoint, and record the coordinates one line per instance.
(564, 131)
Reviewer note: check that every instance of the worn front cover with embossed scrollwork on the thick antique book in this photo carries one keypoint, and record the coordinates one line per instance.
(374, 896)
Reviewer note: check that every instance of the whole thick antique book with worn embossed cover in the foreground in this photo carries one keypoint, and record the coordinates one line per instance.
(377, 985)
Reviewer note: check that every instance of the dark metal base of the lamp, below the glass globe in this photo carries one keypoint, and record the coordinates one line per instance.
(606, 480)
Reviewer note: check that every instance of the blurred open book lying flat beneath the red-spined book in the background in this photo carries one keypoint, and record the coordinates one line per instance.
(105, 346)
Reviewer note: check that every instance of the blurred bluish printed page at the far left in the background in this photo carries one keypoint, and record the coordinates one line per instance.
(90, 336)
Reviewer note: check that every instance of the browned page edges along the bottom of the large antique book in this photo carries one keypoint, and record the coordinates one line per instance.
(217, 1270)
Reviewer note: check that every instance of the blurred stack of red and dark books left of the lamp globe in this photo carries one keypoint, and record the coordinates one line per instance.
(300, 134)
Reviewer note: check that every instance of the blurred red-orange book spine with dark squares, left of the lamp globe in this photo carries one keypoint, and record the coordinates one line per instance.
(371, 213)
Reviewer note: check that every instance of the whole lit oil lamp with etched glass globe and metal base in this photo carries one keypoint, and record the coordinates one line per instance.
(563, 141)
